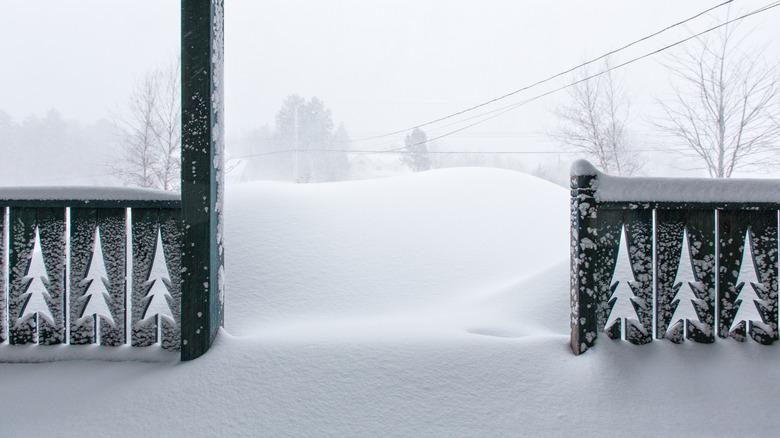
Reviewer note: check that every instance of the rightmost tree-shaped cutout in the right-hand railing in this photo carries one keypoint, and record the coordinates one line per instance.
(749, 289)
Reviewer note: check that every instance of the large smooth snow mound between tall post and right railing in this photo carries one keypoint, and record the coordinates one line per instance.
(385, 247)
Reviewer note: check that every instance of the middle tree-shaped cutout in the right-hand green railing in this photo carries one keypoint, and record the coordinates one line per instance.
(689, 293)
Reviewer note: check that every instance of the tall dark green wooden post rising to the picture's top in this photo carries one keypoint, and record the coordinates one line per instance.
(202, 174)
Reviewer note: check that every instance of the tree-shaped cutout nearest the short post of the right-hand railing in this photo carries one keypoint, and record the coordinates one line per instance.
(622, 303)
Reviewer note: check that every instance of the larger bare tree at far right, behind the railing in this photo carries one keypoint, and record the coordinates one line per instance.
(725, 106)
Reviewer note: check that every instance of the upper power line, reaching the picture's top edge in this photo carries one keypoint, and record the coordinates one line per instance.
(550, 78)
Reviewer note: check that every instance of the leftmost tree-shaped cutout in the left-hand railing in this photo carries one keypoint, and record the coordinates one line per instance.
(36, 283)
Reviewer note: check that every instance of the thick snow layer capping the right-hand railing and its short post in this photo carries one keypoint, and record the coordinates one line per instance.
(610, 188)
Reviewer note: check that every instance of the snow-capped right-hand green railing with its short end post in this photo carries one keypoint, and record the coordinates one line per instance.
(710, 245)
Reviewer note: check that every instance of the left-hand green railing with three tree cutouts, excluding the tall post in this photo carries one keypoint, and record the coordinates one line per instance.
(90, 266)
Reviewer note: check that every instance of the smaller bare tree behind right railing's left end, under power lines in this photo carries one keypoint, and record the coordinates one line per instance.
(594, 122)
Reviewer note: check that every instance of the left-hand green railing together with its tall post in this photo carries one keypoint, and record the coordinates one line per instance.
(66, 253)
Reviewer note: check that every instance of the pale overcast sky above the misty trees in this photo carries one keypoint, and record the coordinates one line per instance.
(379, 65)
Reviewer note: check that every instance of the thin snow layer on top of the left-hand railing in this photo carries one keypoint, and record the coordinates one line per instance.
(85, 193)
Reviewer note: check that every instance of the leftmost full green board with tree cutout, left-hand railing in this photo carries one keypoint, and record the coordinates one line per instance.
(37, 275)
